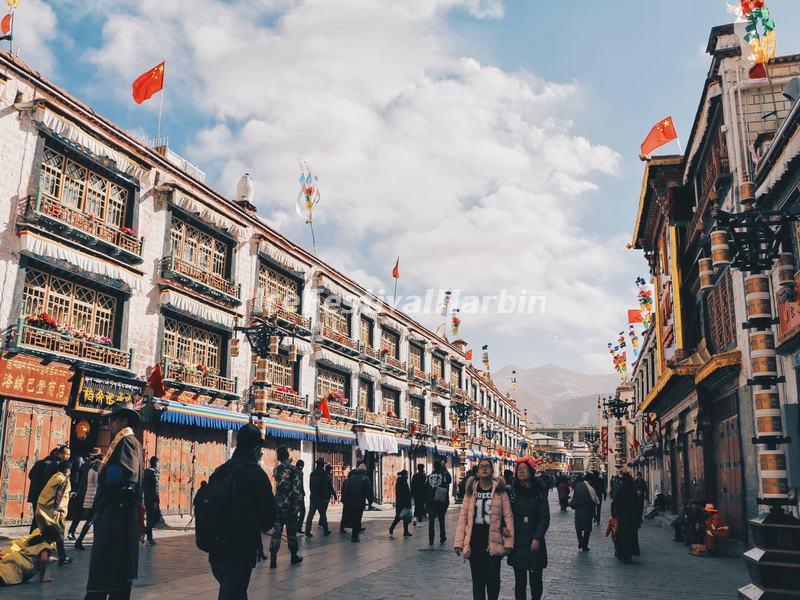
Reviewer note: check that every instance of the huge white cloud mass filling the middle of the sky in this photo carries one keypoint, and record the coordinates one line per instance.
(472, 174)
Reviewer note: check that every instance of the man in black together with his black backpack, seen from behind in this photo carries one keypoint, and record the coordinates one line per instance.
(232, 511)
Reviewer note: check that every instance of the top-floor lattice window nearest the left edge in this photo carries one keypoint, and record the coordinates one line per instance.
(73, 185)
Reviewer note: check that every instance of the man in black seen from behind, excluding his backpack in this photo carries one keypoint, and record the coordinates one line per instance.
(234, 567)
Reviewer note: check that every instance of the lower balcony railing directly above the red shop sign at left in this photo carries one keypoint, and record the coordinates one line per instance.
(67, 346)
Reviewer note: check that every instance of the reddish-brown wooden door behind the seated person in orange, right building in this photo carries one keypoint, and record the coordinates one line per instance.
(728, 462)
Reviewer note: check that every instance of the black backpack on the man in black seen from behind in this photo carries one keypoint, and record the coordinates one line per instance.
(216, 511)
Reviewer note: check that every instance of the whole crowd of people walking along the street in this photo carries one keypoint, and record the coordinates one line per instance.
(501, 515)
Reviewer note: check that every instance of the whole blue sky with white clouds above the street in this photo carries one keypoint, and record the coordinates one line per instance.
(491, 144)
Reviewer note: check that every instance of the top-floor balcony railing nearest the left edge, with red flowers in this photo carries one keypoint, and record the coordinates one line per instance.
(84, 225)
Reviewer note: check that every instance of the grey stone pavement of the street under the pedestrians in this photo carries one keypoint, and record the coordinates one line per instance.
(380, 567)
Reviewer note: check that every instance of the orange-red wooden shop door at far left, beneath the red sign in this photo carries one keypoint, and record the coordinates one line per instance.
(31, 431)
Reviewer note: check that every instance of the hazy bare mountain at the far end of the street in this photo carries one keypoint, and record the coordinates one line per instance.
(554, 394)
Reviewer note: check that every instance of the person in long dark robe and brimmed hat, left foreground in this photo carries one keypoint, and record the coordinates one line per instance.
(114, 563)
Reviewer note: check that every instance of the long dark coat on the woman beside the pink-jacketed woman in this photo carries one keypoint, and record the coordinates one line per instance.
(531, 521)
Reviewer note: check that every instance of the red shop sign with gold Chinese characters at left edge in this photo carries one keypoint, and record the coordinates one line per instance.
(31, 378)
